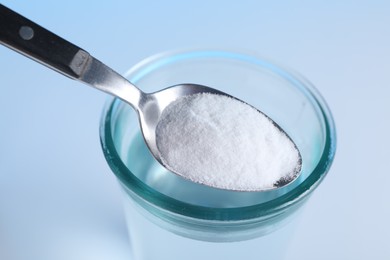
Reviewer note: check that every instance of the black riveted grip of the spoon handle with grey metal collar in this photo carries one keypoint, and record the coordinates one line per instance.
(34, 41)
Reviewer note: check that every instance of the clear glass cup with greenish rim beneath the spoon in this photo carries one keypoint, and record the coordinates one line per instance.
(173, 218)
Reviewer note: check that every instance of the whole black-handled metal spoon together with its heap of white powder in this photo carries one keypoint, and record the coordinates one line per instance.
(208, 138)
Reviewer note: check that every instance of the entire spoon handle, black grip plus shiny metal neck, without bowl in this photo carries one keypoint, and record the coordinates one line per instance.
(39, 44)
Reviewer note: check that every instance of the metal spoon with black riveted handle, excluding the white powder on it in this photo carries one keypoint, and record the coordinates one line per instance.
(41, 45)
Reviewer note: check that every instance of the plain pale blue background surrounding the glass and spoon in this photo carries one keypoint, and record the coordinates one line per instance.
(58, 198)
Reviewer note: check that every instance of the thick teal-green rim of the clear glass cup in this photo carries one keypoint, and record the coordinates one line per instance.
(166, 203)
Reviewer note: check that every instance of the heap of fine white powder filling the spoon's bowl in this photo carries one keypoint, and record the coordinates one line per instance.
(224, 143)
